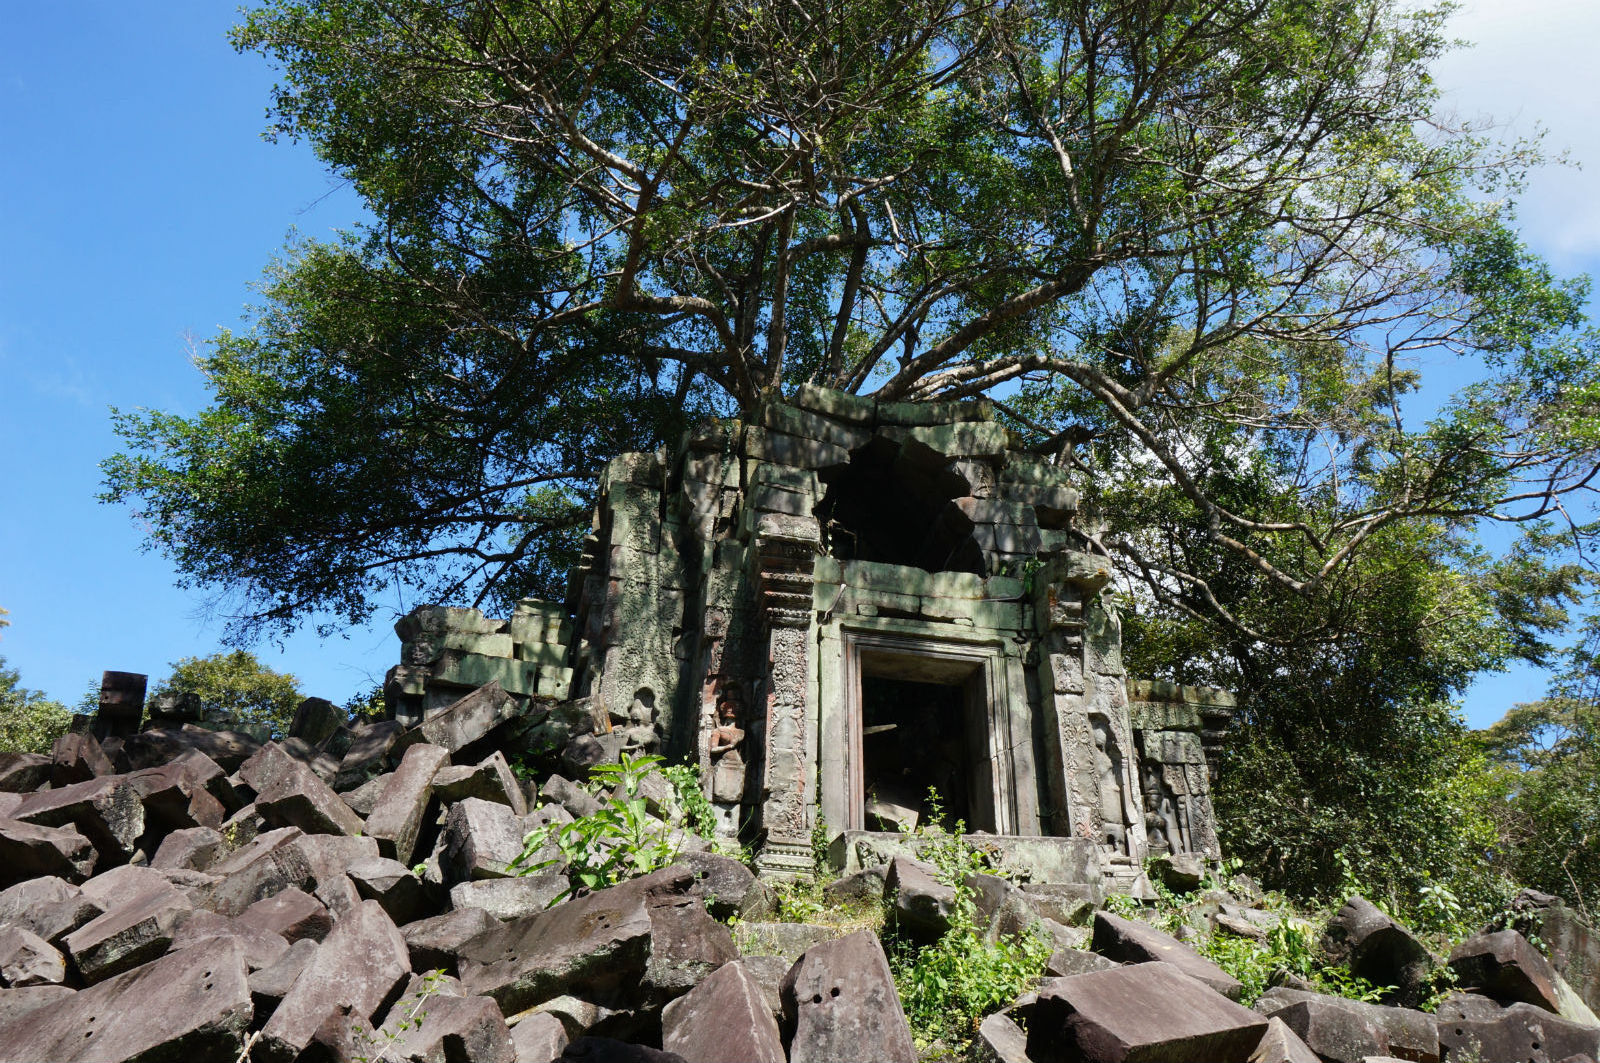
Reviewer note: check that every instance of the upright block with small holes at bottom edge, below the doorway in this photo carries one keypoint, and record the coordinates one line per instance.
(841, 1005)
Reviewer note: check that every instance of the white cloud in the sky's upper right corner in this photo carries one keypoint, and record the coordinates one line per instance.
(1532, 66)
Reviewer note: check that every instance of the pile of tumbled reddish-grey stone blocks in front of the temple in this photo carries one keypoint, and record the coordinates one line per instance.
(346, 894)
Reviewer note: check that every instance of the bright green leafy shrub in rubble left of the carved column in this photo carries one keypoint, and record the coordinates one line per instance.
(620, 841)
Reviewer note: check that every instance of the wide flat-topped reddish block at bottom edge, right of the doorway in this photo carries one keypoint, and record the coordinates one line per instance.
(1150, 1011)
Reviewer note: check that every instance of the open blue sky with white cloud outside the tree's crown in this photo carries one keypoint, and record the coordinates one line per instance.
(138, 203)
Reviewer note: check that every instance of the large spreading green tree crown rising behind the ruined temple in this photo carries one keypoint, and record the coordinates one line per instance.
(1207, 231)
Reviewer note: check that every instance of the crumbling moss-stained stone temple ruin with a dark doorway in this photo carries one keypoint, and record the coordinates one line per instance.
(839, 608)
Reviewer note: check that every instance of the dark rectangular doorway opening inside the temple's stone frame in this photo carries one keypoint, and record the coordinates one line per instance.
(914, 739)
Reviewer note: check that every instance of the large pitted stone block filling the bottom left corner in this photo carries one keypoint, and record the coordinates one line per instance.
(186, 1006)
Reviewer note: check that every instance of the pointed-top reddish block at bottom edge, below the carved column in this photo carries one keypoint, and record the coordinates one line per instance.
(724, 1019)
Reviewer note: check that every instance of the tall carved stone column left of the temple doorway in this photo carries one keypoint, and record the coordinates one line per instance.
(786, 553)
